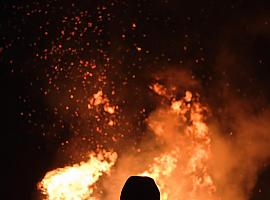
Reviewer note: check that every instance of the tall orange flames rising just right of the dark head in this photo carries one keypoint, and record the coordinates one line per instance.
(182, 172)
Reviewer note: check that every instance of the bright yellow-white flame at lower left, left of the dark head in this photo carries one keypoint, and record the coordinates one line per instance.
(77, 181)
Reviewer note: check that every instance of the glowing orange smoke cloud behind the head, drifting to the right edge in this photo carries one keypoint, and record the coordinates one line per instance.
(239, 147)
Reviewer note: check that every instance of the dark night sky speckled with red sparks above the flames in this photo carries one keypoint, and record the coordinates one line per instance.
(55, 54)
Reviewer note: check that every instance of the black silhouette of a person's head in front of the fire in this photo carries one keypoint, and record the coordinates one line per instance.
(140, 188)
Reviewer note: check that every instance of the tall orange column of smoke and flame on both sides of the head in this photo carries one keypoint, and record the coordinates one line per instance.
(175, 147)
